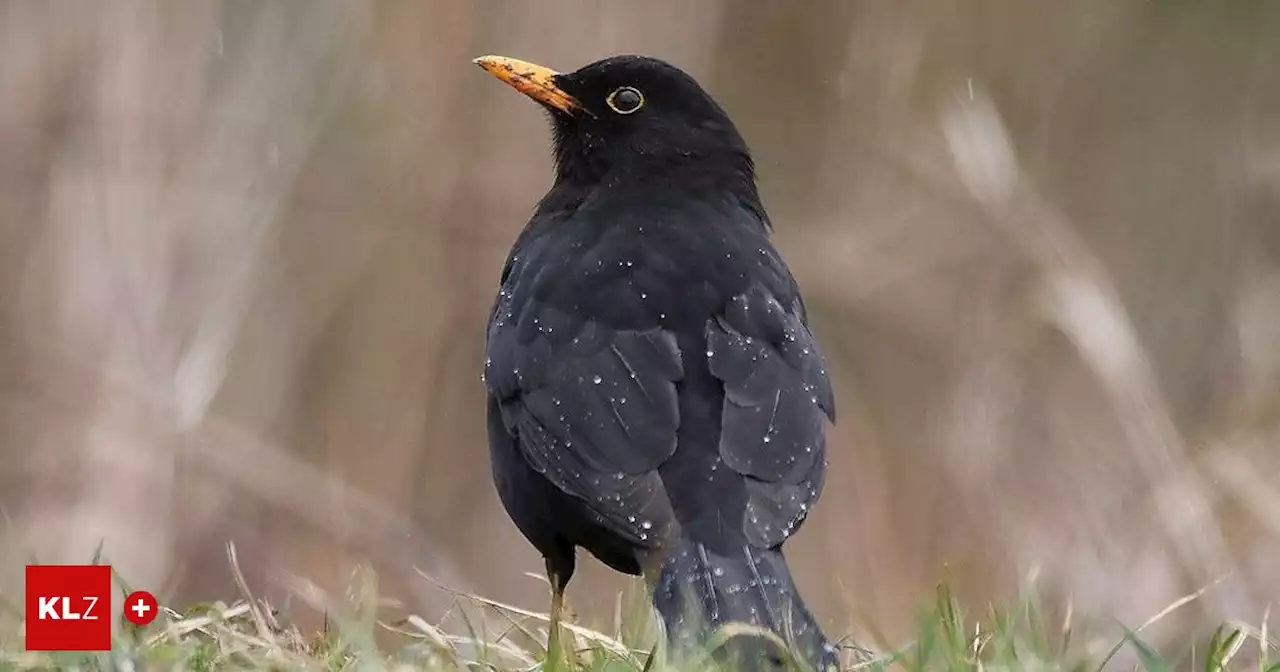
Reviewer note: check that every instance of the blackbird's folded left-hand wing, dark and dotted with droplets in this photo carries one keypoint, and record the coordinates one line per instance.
(595, 410)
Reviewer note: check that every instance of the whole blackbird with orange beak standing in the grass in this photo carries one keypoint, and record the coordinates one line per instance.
(656, 395)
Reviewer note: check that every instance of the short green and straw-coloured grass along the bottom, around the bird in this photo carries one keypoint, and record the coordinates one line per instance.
(252, 636)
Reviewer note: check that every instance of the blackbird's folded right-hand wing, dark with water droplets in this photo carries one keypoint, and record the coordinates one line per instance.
(778, 397)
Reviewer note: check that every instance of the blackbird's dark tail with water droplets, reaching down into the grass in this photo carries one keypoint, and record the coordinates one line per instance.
(744, 607)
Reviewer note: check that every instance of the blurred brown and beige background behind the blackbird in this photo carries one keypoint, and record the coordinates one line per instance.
(248, 252)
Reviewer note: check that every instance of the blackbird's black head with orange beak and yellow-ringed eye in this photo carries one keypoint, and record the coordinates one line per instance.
(629, 116)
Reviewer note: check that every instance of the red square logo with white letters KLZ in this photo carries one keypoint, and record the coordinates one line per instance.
(68, 609)
